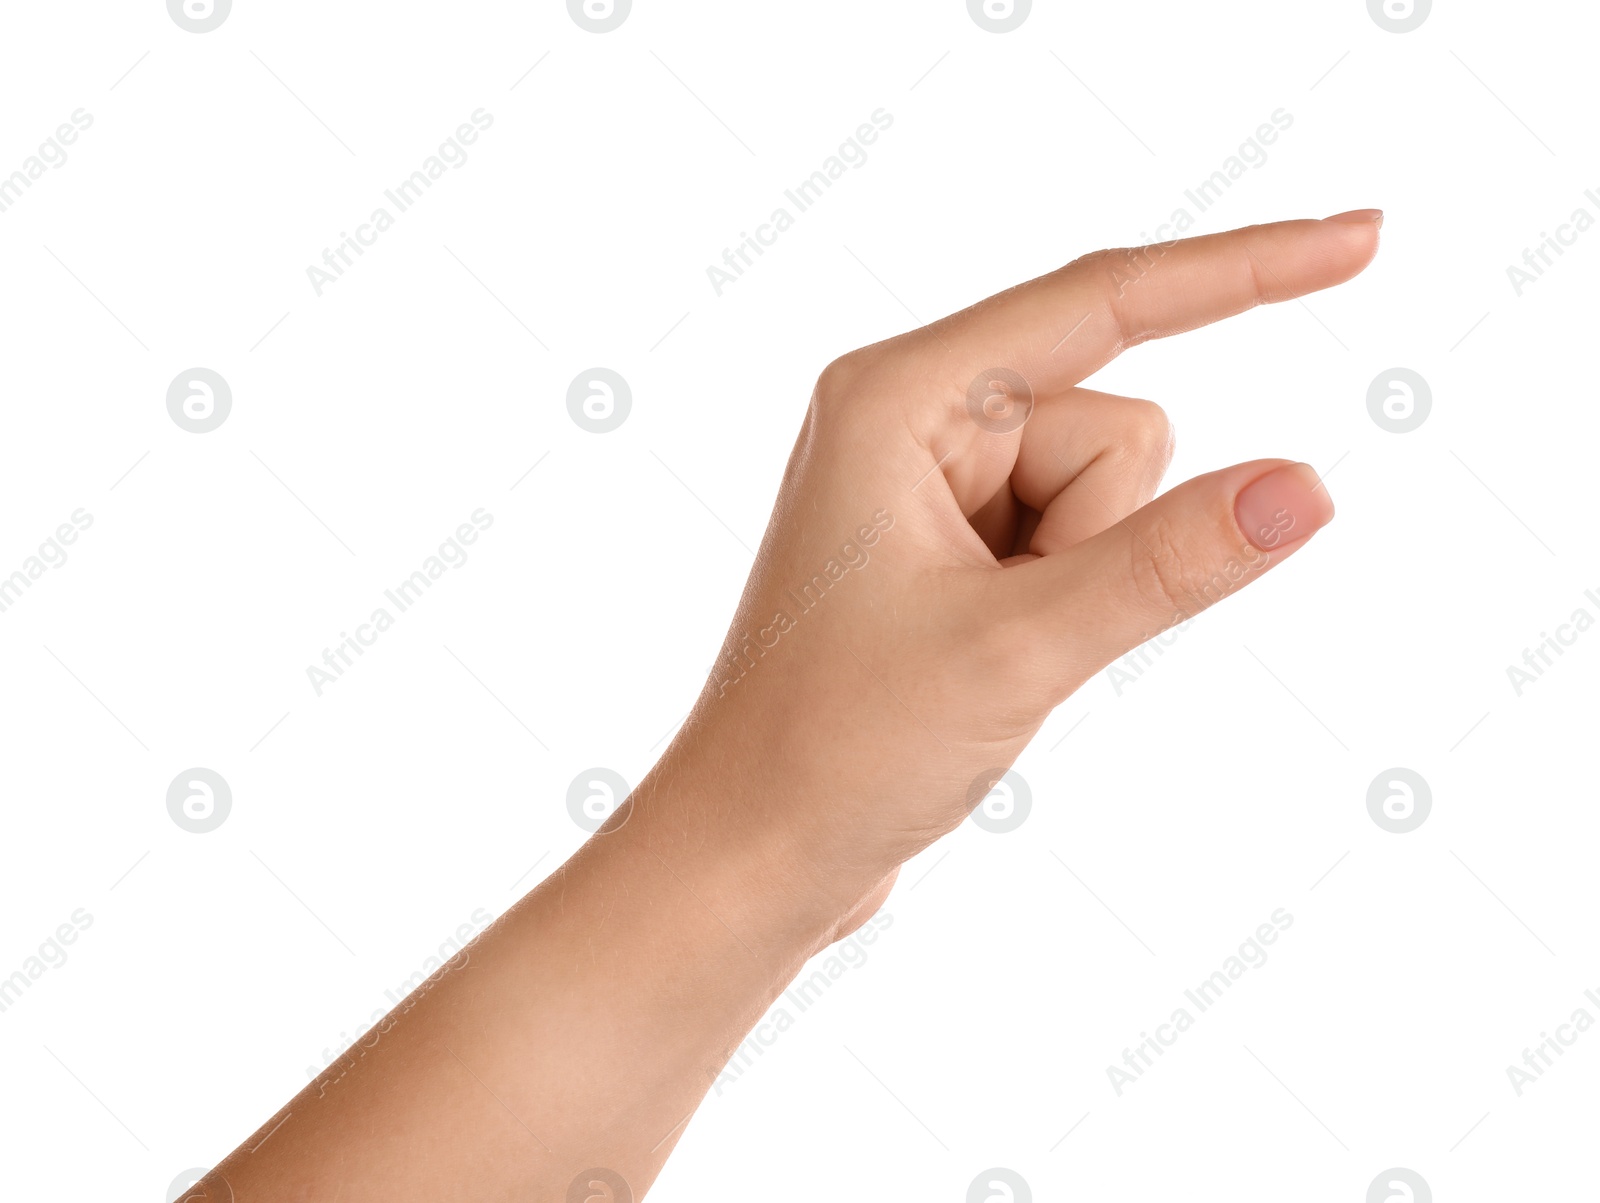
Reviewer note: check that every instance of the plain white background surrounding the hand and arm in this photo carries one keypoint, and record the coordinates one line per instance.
(370, 422)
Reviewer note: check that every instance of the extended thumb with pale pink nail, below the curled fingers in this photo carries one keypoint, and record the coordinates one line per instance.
(1164, 564)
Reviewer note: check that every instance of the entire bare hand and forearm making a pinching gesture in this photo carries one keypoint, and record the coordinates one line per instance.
(967, 577)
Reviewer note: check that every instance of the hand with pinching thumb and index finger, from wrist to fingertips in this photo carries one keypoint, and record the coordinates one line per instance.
(966, 537)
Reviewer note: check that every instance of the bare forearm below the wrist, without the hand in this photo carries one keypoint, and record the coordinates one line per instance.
(580, 1031)
